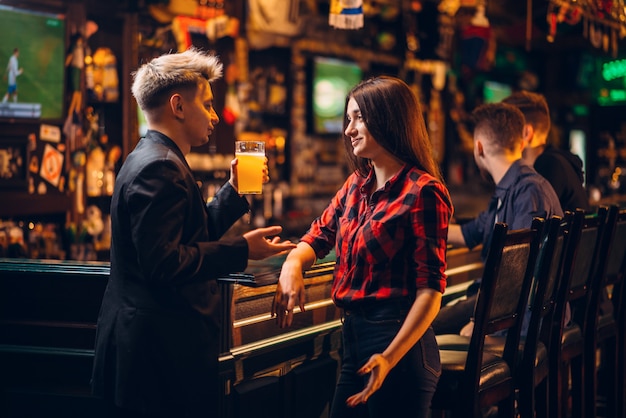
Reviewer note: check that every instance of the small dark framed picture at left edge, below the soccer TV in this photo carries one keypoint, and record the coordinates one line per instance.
(14, 163)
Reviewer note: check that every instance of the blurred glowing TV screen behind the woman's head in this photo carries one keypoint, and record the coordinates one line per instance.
(332, 79)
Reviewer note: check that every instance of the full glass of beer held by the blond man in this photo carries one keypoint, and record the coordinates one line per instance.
(250, 161)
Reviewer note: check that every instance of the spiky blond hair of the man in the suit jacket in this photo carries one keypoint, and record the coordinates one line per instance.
(153, 80)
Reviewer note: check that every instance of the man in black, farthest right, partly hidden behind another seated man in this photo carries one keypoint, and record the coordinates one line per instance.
(563, 169)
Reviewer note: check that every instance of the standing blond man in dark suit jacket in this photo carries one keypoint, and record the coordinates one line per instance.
(158, 330)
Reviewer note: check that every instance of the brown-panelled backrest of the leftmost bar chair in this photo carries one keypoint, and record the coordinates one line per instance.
(502, 297)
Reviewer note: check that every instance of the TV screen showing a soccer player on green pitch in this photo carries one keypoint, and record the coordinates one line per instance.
(39, 39)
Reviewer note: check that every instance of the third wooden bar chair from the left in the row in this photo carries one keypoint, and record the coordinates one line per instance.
(566, 359)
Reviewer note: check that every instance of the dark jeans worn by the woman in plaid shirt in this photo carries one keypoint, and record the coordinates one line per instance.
(408, 388)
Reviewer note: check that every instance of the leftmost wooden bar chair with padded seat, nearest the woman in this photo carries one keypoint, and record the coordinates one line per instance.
(475, 379)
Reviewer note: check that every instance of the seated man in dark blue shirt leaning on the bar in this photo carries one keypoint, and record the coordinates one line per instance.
(520, 195)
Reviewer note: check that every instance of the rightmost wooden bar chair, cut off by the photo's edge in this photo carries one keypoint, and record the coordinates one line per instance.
(602, 322)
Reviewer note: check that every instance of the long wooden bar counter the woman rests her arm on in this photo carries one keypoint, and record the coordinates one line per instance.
(48, 314)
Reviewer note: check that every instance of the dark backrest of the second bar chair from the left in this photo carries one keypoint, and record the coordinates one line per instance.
(545, 284)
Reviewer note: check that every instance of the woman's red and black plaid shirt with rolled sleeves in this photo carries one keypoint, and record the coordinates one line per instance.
(387, 245)
